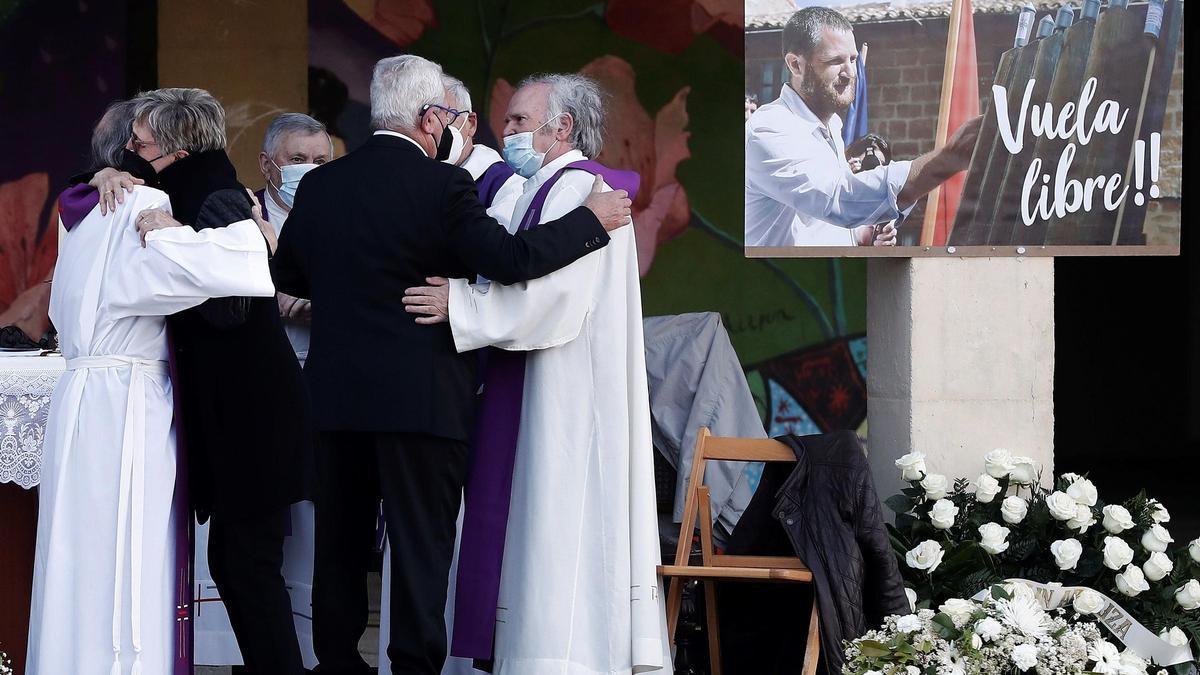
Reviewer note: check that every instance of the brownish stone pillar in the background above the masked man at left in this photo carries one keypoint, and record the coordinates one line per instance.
(254, 57)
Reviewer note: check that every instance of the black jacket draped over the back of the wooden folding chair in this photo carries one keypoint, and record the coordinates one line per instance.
(832, 519)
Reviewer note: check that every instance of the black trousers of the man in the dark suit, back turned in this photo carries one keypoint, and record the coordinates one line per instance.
(421, 481)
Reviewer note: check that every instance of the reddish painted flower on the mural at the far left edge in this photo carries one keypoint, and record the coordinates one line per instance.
(28, 252)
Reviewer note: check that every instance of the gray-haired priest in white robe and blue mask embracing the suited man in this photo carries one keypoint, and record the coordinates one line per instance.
(579, 592)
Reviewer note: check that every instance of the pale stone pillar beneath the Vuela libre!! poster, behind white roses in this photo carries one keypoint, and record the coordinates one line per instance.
(961, 362)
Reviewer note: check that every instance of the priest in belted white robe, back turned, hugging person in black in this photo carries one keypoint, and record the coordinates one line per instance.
(105, 571)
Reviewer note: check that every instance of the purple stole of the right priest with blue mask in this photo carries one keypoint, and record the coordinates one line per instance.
(490, 482)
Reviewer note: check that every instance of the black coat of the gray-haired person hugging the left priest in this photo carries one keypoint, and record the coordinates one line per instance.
(244, 408)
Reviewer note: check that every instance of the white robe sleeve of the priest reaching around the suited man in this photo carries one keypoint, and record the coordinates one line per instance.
(532, 315)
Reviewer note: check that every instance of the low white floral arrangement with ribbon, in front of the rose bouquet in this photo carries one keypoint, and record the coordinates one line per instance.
(1007, 632)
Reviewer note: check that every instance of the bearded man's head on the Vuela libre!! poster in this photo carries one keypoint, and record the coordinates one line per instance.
(826, 79)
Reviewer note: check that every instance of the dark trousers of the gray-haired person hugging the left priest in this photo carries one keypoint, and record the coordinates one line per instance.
(247, 558)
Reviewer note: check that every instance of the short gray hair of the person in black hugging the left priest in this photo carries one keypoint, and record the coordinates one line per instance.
(183, 120)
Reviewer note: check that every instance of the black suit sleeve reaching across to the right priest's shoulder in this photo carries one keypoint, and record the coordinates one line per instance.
(487, 248)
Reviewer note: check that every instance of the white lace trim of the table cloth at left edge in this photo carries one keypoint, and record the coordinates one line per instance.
(25, 408)
